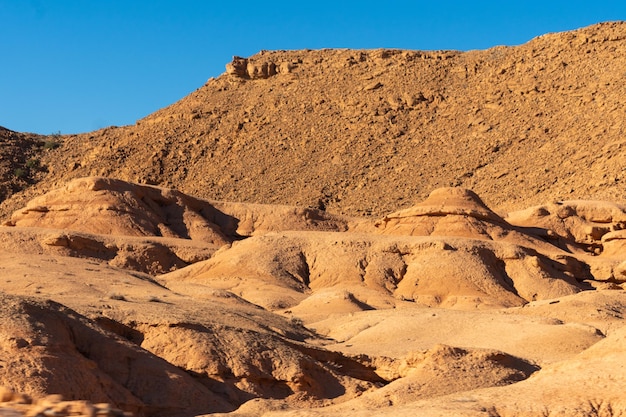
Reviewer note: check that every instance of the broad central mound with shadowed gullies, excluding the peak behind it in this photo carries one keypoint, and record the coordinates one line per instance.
(437, 272)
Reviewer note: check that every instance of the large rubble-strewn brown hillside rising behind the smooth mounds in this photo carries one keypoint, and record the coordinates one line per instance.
(373, 131)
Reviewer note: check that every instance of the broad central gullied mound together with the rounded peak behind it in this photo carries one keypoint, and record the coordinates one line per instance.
(440, 258)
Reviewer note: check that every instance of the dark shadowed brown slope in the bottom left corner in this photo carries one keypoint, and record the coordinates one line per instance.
(50, 349)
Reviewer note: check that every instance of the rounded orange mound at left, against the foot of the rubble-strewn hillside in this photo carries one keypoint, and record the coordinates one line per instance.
(105, 206)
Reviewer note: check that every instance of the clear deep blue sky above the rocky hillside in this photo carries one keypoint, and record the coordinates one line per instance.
(79, 65)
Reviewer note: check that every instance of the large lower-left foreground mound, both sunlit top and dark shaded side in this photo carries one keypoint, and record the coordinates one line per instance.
(137, 335)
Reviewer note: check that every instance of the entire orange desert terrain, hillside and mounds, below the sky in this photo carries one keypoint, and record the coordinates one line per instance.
(330, 232)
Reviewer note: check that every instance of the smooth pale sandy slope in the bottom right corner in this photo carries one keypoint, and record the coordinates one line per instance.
(595, 374)
